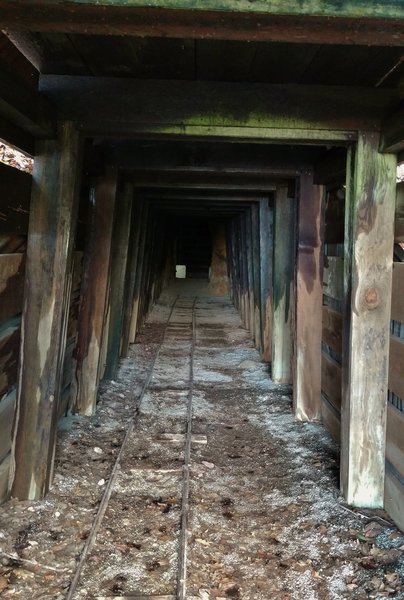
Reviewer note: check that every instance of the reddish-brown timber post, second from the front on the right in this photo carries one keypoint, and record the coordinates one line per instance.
(309, 294)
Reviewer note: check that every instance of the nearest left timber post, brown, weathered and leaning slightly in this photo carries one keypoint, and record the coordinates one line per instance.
(53, 218)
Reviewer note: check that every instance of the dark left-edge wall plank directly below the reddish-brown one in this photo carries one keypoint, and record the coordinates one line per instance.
(10, 338)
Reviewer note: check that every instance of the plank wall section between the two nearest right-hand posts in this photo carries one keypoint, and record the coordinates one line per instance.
(333, 290)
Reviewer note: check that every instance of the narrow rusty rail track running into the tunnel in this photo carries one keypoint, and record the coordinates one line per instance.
(183, 535)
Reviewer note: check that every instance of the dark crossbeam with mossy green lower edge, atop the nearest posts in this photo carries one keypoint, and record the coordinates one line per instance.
(219, 110)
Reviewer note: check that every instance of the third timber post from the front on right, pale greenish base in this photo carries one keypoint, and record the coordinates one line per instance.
(284, 280)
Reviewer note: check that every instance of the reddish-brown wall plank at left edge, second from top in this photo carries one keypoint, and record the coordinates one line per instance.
(12, 268)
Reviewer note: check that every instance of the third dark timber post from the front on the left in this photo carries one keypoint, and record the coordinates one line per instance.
(119, 258)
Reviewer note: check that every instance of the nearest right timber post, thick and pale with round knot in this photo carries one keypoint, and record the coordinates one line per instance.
(369, 239)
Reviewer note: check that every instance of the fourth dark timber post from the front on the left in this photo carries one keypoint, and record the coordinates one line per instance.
(134, 243)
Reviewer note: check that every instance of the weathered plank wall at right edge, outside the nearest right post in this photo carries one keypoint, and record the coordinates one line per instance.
(394, 486)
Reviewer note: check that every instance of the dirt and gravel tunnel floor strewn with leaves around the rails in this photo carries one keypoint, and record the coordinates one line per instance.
(265, 521)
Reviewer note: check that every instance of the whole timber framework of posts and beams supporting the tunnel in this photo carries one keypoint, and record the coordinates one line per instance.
(286, 126)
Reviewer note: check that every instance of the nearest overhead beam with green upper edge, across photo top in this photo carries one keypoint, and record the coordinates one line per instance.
(329, 22)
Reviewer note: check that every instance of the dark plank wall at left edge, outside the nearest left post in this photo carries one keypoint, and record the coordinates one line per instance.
(15, 191)
